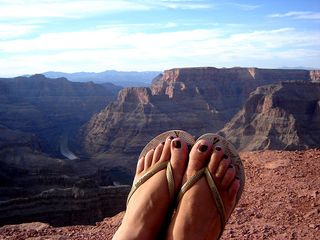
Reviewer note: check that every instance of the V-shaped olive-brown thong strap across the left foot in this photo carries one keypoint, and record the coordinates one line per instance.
(152, 171)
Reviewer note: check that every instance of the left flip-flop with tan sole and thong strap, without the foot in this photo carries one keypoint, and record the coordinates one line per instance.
(162, 165)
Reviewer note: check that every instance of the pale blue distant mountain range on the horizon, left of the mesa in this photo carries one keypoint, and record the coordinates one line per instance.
(124, 79)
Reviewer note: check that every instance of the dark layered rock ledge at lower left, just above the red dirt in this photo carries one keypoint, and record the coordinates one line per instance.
(70, 206)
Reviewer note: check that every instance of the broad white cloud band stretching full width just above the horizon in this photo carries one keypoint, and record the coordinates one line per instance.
(116, 48)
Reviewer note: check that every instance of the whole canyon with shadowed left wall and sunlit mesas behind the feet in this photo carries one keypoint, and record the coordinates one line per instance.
(68, 150)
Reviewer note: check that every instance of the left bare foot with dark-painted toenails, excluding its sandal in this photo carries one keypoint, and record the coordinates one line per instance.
(149, 204)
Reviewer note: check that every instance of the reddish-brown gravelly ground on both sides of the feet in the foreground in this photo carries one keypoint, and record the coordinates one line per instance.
(281, 201)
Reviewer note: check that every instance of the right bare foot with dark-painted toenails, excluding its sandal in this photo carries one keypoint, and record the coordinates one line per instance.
(197, 216)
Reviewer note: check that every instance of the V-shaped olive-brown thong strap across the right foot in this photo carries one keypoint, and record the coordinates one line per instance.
(214, 190)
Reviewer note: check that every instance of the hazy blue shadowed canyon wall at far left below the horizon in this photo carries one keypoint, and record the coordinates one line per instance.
(49, 108)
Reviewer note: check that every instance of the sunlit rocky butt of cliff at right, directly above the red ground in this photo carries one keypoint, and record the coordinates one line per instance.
(281, 116)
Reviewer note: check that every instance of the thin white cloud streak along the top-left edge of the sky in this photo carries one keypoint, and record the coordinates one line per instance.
(18, 9)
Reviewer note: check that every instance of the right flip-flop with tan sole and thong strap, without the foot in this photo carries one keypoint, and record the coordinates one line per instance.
(230, 150)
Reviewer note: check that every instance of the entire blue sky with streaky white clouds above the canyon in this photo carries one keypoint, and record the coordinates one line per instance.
(98, 35)
